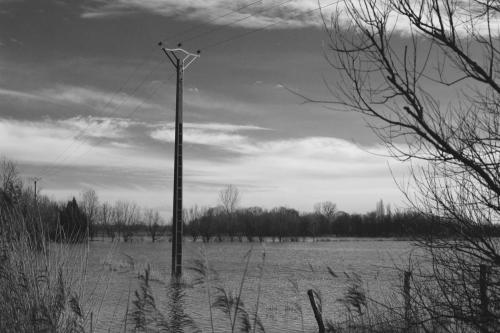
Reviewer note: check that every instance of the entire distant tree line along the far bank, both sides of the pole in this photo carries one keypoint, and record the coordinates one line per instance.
(85, 217)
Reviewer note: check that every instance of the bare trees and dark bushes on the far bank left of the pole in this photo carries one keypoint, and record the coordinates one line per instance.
(73, 221)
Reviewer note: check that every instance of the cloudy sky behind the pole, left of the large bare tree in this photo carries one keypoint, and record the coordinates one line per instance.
(87, 99)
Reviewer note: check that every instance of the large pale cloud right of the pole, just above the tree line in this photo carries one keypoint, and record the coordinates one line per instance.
(297, 172)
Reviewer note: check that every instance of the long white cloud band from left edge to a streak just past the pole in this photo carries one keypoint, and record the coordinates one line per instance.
(105, 141)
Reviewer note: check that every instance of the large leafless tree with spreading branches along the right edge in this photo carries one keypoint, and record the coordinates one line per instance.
(396, 61)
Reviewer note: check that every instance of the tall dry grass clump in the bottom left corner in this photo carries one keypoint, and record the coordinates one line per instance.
(40, 287)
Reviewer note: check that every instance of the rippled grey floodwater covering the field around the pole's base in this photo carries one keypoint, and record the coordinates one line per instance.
(289, 270)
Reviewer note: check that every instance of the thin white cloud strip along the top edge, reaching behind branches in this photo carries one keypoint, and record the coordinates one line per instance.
(276, 14)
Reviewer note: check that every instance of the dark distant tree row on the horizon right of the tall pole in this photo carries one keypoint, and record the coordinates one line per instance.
(286, 224)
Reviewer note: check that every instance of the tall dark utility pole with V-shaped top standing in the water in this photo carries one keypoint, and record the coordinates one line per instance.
(180, 59)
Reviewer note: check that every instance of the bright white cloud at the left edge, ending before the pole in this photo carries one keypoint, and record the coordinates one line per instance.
(61, 141)
